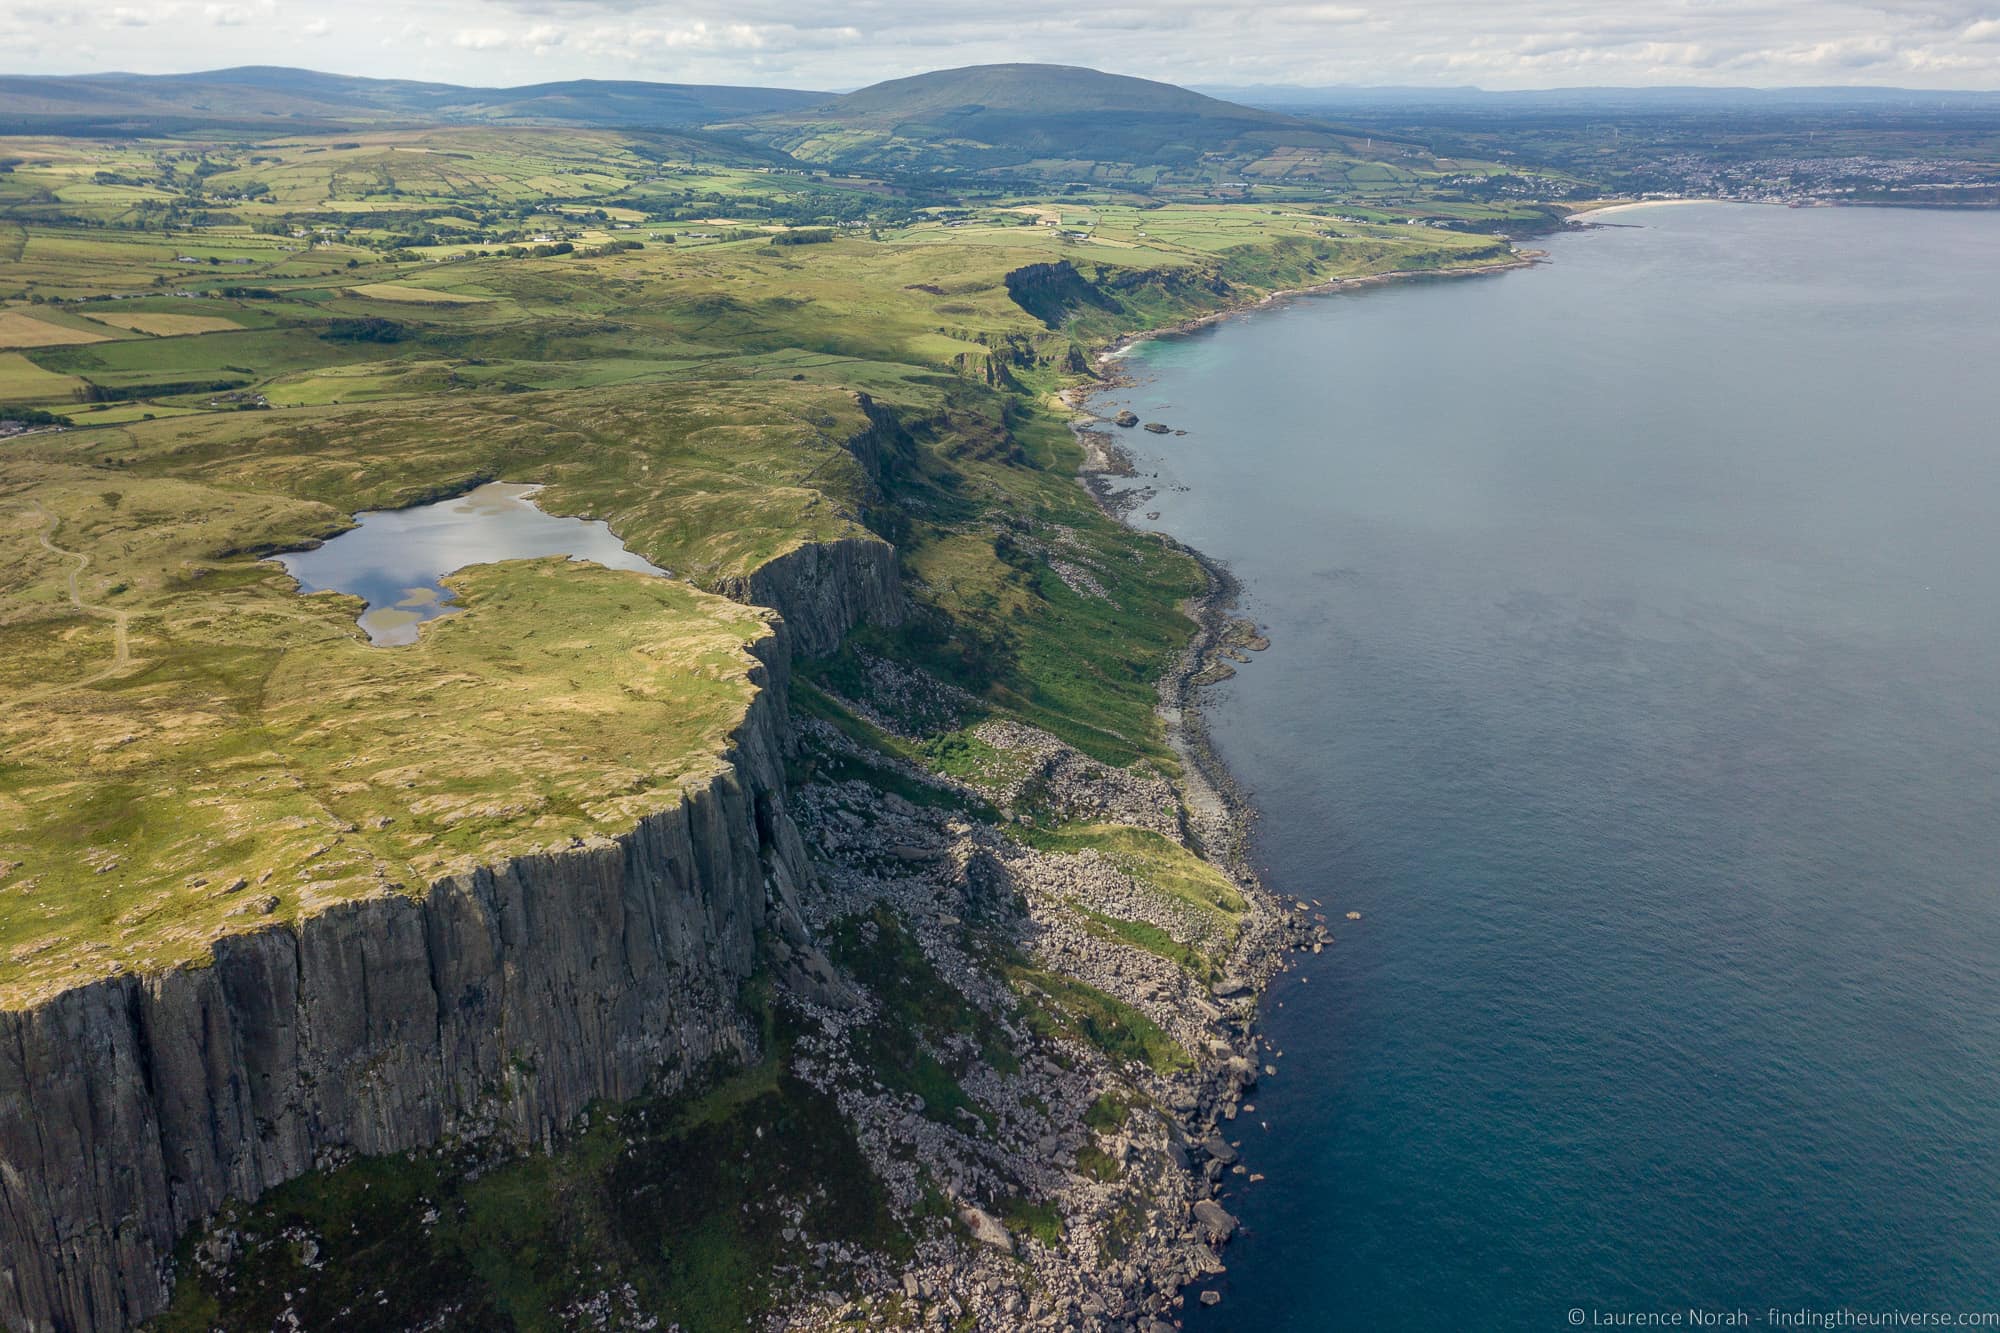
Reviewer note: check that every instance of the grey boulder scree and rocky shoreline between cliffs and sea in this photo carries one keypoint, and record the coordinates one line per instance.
(1149, 1178)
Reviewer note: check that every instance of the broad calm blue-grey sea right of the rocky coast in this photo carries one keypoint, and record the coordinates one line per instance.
(1637, 676)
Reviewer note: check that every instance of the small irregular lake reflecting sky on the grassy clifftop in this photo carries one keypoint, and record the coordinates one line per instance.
(397, 557)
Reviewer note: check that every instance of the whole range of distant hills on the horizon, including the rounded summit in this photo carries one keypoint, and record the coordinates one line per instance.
(997, 121)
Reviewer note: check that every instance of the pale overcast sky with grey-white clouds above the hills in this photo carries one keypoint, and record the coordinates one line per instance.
(789, 43)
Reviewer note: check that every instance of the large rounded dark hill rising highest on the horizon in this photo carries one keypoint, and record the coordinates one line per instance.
(1049, 119)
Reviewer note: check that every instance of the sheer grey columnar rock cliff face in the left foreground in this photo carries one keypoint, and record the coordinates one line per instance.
(497, 1002)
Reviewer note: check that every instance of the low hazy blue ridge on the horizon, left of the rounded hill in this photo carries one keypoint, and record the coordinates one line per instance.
(265, 95)
